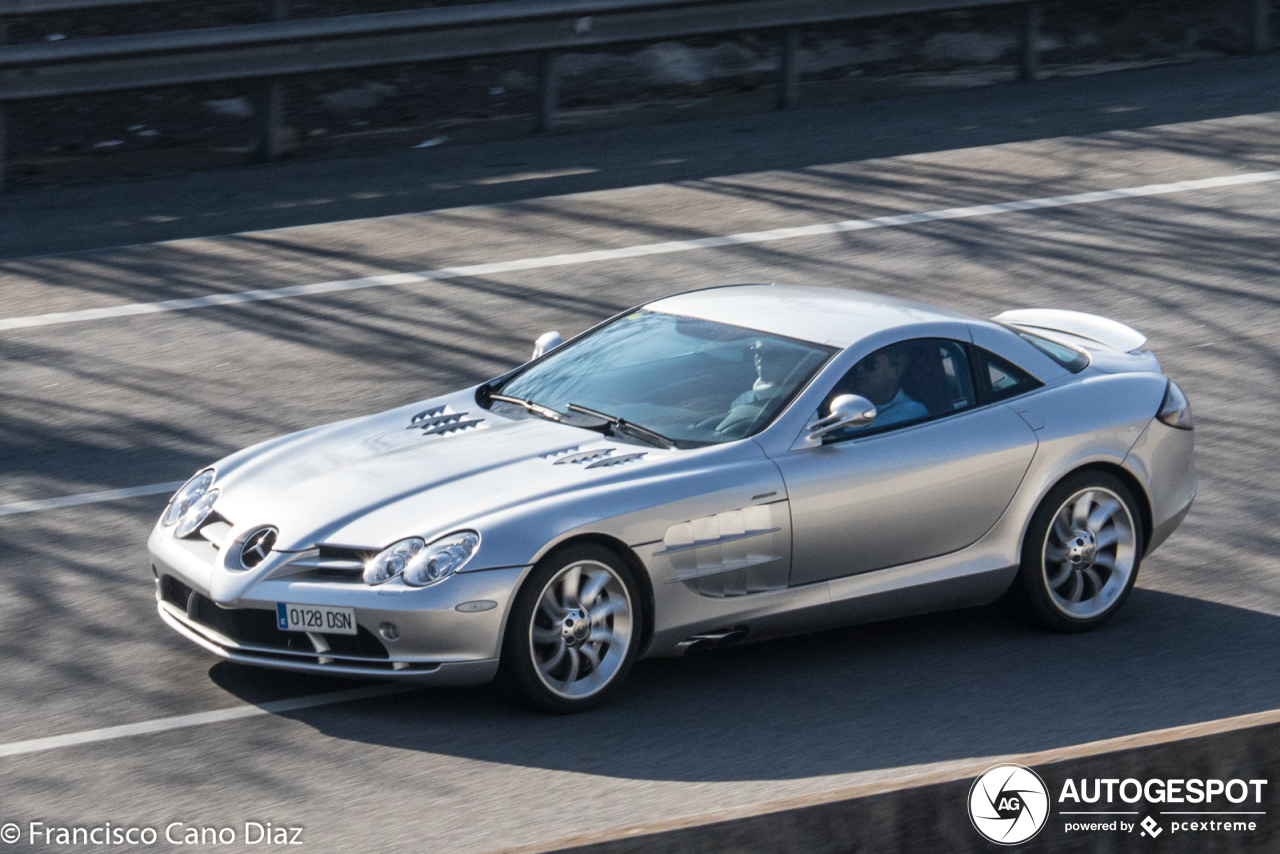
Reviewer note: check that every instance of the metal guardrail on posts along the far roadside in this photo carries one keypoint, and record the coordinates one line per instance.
(280, 48)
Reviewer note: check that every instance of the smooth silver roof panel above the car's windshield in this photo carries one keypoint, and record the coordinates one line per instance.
(820, 316)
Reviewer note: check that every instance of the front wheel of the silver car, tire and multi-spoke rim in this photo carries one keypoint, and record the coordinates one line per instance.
(574, 632)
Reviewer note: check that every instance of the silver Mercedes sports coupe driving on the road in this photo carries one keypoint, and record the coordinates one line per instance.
(721, 465)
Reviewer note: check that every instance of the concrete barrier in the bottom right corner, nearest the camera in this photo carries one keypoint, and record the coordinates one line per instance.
(929, 811)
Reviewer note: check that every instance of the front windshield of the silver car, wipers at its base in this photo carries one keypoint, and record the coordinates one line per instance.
(693, 381)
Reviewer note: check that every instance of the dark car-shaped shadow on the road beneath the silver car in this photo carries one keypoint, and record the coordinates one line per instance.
(885, 696)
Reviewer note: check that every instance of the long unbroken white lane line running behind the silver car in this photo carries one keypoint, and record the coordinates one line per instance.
(633, 252)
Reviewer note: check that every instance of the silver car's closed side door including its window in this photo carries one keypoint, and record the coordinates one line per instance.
(929, 479)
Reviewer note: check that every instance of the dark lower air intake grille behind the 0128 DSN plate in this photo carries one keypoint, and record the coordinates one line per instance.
(260, 629)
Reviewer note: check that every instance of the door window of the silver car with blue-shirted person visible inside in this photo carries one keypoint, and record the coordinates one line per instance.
(909, 382)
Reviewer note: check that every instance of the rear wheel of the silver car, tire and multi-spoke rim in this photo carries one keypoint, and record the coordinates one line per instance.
(1082, 554)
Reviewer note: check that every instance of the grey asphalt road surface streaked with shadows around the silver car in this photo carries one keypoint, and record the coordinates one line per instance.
(138, 400)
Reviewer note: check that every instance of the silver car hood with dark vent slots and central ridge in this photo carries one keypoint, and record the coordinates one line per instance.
(369, 482)
